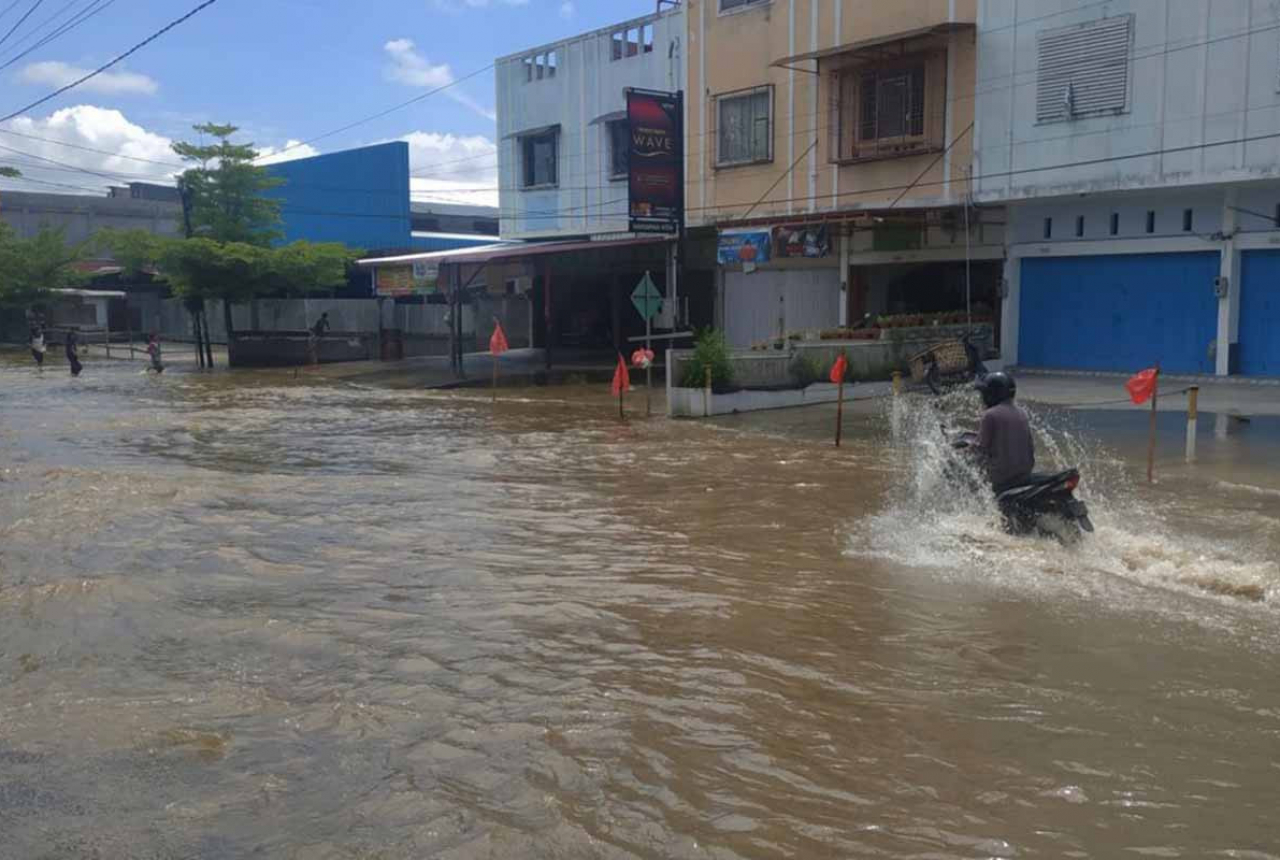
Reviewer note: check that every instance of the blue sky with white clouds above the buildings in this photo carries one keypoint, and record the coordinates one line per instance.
(284, 71)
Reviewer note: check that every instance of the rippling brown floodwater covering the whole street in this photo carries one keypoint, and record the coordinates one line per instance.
(255, 616)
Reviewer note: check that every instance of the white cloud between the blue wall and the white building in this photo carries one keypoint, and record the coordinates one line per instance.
(450, 168)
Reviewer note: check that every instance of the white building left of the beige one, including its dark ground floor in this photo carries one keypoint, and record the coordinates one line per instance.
(564, 149)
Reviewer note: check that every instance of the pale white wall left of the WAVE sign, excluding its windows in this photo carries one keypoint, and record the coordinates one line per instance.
(588, 88)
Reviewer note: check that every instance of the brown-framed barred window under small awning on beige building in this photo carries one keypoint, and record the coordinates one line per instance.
(885, 112)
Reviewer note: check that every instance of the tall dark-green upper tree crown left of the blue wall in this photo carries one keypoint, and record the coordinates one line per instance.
(225, 195)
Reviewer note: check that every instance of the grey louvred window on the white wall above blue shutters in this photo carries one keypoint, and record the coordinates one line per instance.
(1085, 70)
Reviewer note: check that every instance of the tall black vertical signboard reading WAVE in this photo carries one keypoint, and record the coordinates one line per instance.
(656, 161)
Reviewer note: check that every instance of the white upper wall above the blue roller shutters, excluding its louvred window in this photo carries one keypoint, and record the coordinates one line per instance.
(1201, 72)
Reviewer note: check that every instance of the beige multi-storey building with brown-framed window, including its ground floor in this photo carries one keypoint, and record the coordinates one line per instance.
(829, 149)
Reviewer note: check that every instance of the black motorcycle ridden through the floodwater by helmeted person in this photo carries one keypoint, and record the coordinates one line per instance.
(1044, 505)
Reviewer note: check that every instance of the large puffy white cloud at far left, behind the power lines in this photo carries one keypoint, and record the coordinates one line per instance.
(94, 129)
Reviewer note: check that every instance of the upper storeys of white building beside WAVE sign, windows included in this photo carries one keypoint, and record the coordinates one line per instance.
(563, 125)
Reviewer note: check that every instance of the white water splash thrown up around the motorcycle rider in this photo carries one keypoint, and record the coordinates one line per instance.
(935, 520)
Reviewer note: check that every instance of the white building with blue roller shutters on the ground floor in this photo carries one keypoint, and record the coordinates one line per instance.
(1137, 144)
